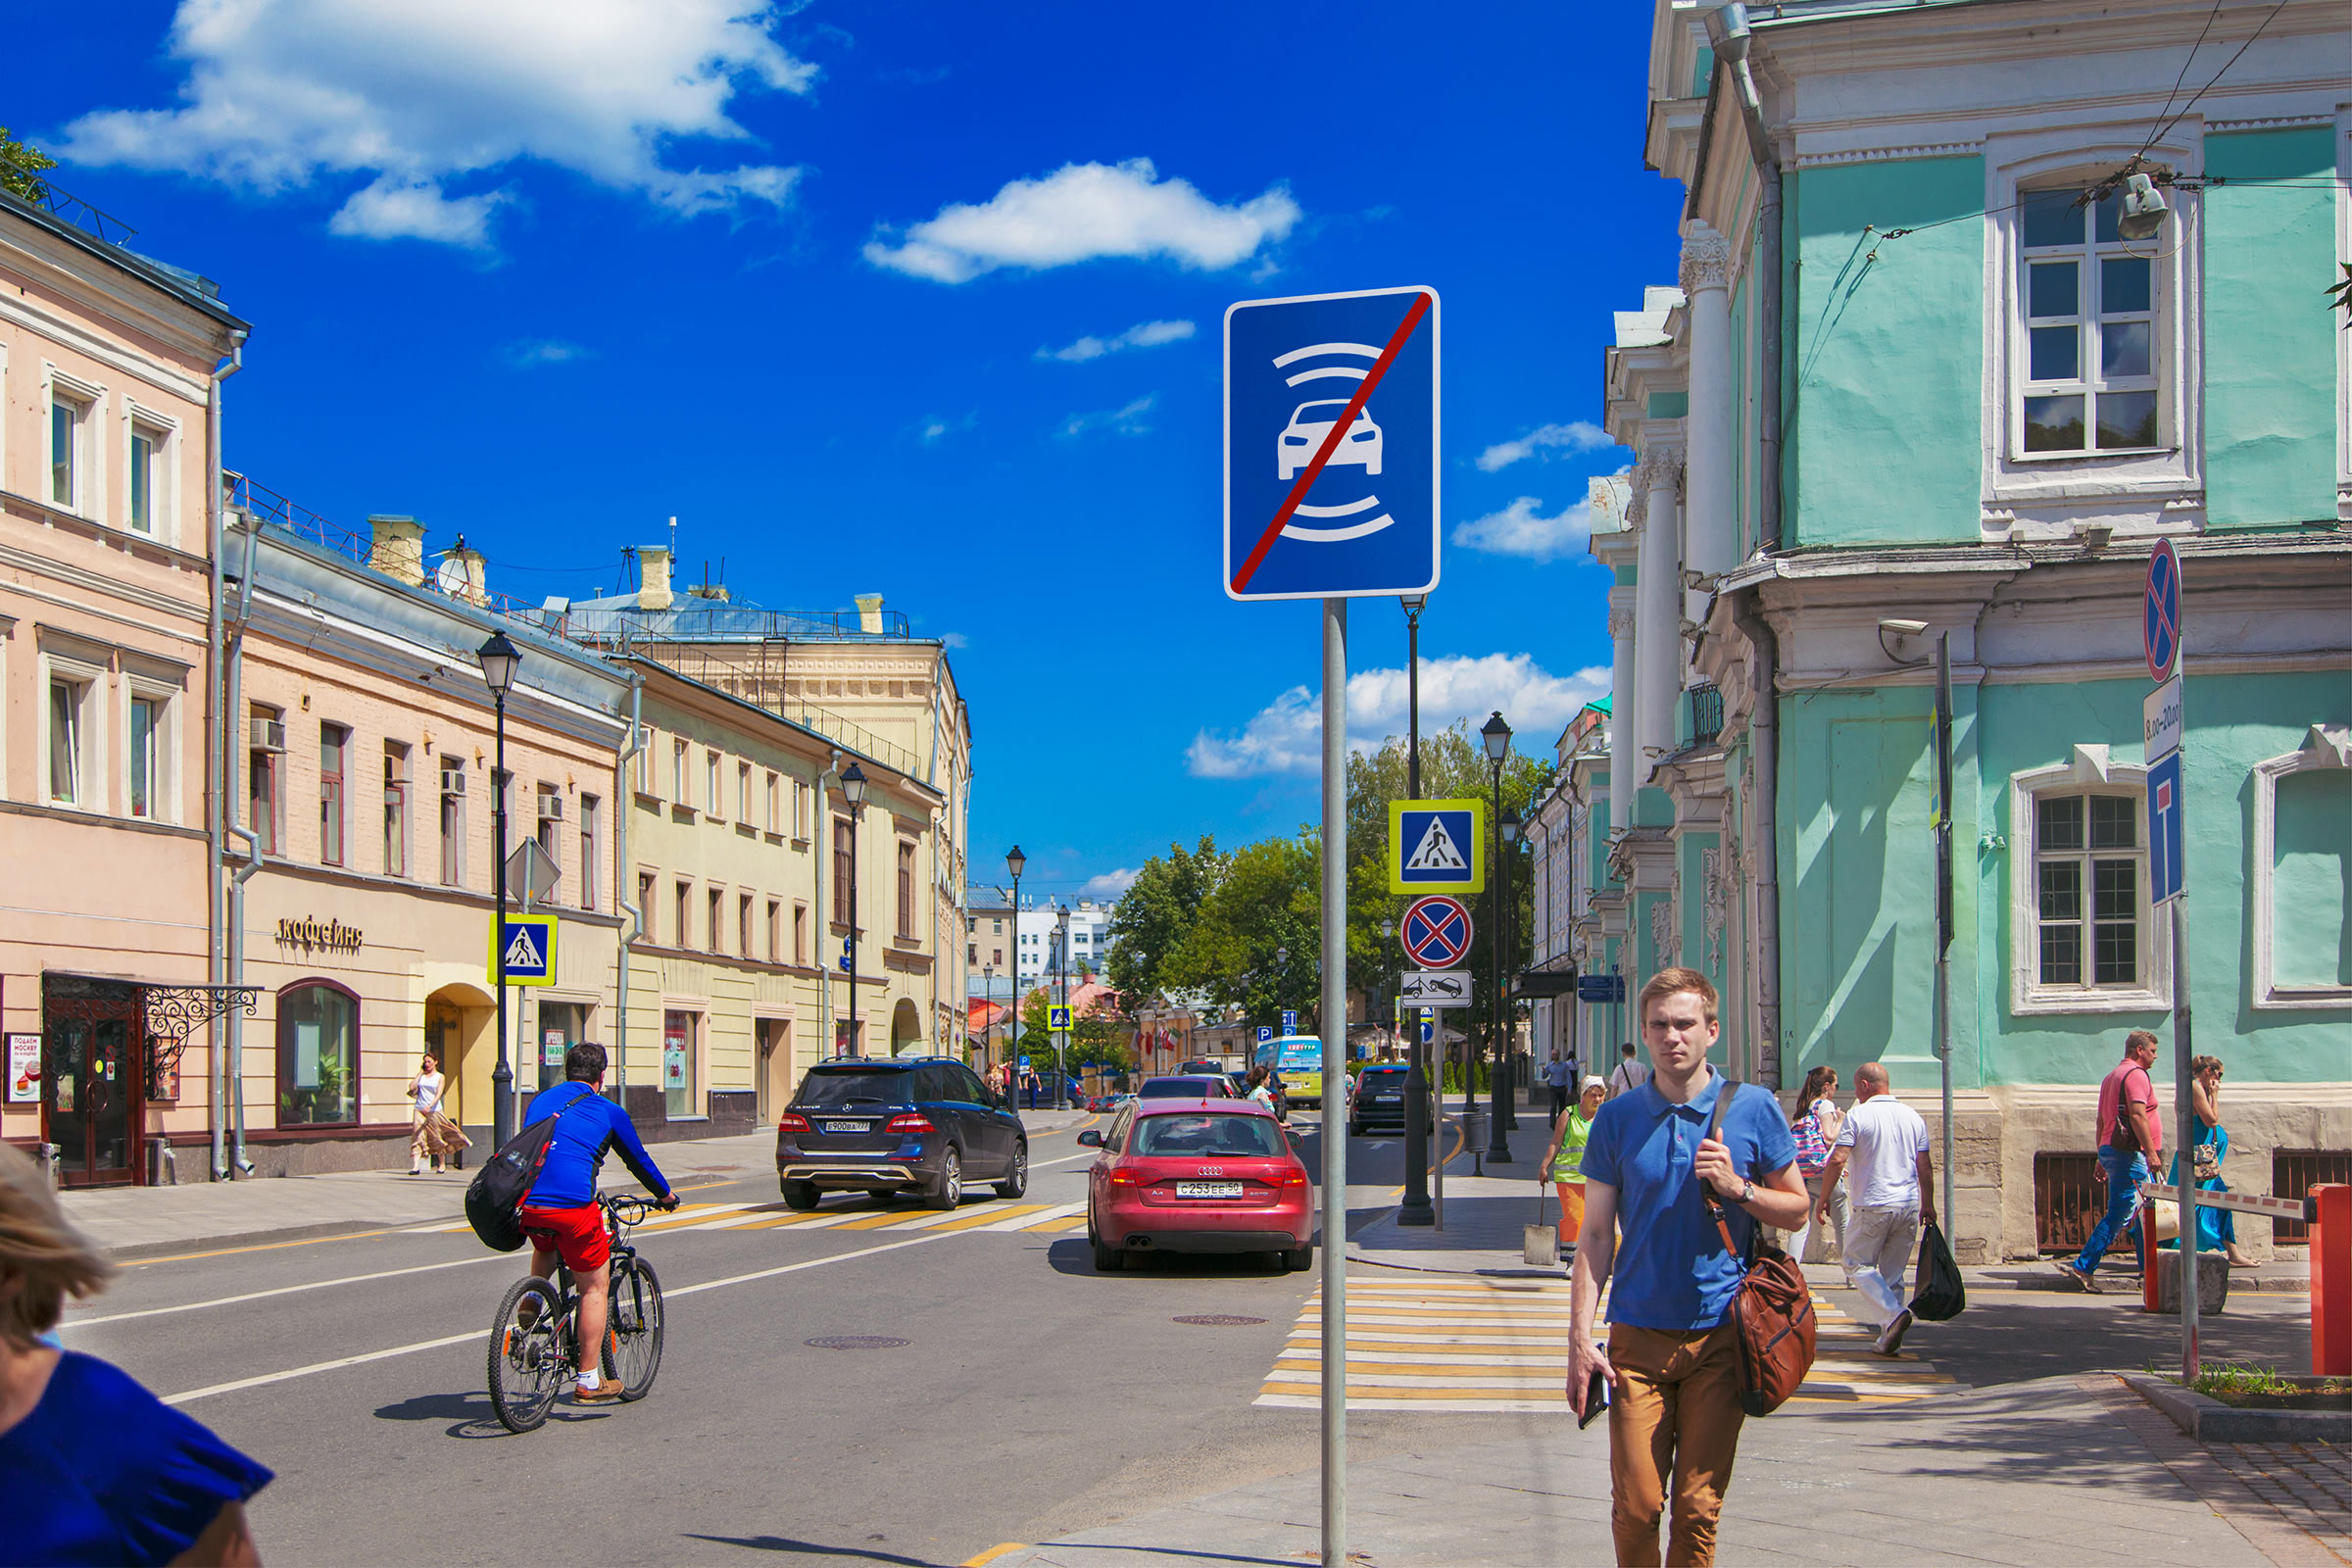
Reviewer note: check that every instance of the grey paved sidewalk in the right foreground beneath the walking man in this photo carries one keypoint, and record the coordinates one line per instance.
(2054, 1470)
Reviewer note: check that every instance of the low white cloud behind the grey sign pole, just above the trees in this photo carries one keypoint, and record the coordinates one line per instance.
(1285, 737)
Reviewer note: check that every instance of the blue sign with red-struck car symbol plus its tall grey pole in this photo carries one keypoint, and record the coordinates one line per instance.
(1330, 495)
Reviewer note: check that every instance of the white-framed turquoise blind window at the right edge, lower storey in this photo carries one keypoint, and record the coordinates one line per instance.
(2304, 873)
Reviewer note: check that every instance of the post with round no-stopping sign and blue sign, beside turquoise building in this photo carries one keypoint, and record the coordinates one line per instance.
(2163, 723)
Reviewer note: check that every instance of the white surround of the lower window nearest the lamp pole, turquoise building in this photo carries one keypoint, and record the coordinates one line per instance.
(2087, 772)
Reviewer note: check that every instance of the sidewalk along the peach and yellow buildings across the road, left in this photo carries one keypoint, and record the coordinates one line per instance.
(133, 1224)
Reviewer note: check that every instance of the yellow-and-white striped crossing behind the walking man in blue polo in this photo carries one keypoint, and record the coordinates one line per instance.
(1474, 1346)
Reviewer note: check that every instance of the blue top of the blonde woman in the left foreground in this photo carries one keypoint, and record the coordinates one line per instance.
(105, 1473)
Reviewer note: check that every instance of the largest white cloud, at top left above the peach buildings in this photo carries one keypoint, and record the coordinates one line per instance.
(290, 93)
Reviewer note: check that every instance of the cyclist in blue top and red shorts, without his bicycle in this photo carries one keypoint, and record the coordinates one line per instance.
(561, 1214)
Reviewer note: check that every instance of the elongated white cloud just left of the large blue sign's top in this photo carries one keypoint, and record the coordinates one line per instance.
(1081, 213)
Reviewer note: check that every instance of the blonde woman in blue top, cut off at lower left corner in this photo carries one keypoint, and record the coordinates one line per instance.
(100, 1470)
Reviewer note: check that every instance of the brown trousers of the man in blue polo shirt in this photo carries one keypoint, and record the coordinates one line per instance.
(1676, 1416)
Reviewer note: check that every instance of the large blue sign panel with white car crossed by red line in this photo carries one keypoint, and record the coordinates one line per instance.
(1332, 445)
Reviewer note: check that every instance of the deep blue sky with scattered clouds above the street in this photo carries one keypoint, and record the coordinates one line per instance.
(916, 300)
